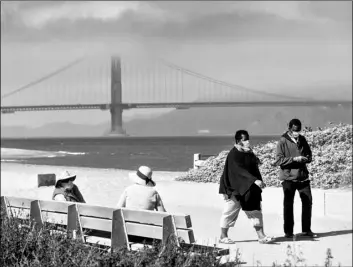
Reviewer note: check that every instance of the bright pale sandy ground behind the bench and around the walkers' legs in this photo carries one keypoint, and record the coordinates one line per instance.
(332, 211)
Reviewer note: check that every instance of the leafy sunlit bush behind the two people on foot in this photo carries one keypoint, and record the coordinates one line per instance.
(331, 166)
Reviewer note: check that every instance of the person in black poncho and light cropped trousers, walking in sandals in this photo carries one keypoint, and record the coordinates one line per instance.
(241, 187)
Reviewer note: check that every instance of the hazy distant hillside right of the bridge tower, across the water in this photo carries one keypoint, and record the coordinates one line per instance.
(219, 121)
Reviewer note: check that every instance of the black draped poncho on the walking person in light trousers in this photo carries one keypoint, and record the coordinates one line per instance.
(239, 174)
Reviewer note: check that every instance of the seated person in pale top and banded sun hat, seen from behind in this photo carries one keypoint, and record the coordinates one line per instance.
(142, 194)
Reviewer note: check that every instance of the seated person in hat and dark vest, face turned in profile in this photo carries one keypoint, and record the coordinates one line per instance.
(66, 190)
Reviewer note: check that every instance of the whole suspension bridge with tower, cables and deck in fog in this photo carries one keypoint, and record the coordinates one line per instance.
(118, 83)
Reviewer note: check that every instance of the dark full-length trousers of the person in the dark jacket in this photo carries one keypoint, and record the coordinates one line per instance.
(304, 190)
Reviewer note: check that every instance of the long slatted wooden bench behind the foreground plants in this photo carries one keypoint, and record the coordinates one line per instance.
(107, 226)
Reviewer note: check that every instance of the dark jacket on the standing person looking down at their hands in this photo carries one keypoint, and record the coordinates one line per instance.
(287, 149)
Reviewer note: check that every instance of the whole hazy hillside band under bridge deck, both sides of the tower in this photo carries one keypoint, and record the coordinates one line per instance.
(214, 121)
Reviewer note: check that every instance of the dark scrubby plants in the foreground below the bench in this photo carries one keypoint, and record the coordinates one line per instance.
(22, 244)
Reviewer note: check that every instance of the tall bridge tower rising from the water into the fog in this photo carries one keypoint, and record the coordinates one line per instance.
(116, 110)
